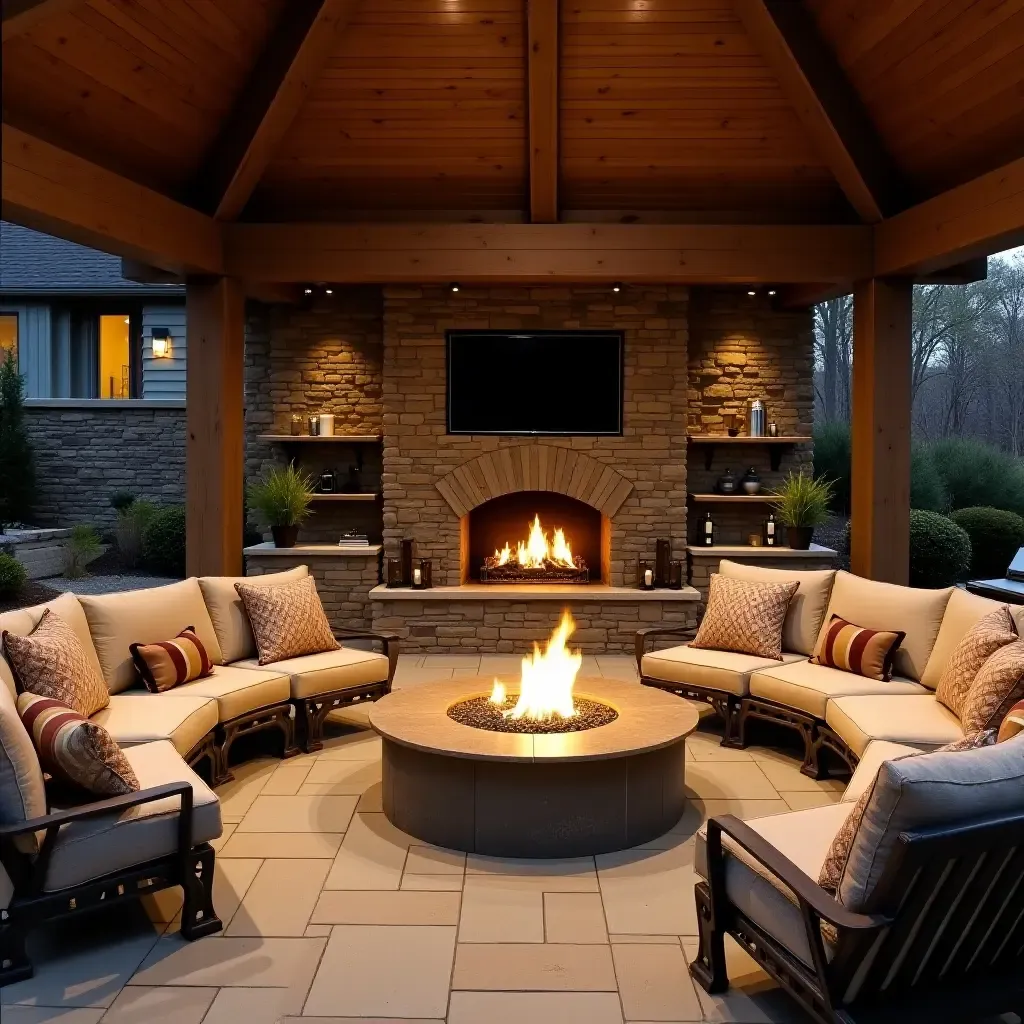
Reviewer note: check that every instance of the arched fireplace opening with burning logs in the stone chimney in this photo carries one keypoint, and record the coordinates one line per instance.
(534, 537)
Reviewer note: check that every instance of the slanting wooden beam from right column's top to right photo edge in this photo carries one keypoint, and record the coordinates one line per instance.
(978, 219)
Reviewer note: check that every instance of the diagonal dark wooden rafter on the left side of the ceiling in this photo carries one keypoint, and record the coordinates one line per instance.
(290, 65)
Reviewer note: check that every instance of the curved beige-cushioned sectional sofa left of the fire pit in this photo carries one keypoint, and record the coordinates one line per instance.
(55, 861)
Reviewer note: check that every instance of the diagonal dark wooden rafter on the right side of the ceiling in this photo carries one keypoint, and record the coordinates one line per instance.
(828, 105)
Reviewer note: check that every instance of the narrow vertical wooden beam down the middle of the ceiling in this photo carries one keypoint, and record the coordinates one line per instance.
(542, 30)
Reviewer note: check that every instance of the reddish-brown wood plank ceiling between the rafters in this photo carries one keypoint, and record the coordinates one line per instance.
(668, 110)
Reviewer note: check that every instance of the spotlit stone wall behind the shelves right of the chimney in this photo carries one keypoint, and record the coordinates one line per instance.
(742, 349)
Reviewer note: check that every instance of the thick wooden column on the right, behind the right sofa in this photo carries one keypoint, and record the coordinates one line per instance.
(880, 531)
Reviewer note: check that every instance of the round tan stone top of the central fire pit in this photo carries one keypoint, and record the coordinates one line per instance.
(649, 720)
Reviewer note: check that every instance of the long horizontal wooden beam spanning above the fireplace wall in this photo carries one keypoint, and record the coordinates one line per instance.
(547, 253)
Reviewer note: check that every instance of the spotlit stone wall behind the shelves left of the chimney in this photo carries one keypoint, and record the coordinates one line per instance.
(321, 358)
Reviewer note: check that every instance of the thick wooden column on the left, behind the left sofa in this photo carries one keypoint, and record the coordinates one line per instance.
(216, 419)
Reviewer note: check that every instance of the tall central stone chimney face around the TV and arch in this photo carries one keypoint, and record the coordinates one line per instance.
(418, 452)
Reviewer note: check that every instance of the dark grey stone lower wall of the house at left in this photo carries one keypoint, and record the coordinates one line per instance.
(88, 451)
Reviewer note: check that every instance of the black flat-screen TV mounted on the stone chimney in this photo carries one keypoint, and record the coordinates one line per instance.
(536, 382)
